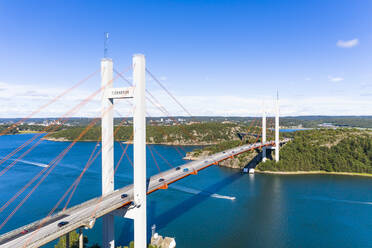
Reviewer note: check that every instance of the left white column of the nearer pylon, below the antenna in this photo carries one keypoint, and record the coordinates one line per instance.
(107, 122)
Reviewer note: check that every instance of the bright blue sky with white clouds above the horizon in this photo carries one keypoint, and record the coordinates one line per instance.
(217, 57)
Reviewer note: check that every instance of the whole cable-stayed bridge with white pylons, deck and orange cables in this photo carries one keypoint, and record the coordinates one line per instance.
(129, 201)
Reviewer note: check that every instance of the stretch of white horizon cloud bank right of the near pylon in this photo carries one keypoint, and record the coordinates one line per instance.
(229, 105)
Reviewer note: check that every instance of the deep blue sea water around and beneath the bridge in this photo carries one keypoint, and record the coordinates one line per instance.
(200, 210)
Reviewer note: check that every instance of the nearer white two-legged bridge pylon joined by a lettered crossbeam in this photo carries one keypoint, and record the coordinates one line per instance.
(138, 213)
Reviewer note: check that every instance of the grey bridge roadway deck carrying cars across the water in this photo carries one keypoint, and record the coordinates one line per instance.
(46, 230)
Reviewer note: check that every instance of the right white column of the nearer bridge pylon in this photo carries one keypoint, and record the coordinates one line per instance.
(139, 147)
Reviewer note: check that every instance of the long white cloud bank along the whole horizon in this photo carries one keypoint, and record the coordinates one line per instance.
(21, 100)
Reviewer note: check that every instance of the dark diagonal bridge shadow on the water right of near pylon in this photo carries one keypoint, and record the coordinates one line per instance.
(185, 206)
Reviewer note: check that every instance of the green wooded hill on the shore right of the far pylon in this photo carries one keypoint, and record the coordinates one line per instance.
(325, 150)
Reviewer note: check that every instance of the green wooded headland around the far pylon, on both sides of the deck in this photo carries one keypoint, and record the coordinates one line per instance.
(310, 151)
